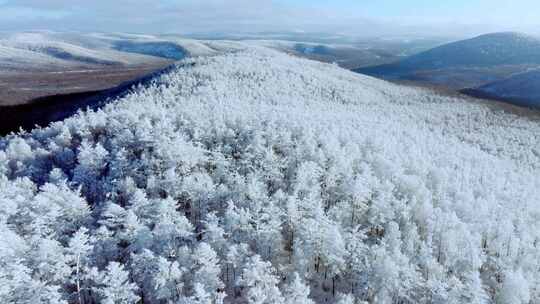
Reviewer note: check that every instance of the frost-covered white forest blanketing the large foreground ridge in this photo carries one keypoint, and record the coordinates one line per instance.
(257, 177)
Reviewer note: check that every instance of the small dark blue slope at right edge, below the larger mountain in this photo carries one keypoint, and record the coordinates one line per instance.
(523, 89)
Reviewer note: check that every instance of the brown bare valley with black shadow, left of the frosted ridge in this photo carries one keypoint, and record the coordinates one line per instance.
(53, 96)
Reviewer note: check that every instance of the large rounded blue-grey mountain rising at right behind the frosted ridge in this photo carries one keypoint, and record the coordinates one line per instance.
(467, 63)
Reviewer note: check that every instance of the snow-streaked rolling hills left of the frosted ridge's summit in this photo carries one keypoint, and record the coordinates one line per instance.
(44, 50)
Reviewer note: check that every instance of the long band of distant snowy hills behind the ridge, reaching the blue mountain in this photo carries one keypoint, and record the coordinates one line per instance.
(68, 49)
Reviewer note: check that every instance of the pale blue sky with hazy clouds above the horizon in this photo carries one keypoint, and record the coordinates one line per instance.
(355, 17)
